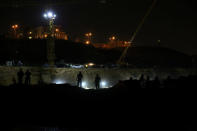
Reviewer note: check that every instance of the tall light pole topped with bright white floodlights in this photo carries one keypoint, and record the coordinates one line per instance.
(50, 16)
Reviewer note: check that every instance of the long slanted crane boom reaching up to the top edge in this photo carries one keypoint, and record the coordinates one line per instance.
(123, 55)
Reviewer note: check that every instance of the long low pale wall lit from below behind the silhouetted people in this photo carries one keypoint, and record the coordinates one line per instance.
(109, 77)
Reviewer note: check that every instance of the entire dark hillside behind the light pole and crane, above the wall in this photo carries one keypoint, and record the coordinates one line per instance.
(33, 52)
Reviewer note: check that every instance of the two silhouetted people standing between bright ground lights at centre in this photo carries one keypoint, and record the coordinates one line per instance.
(80, 78)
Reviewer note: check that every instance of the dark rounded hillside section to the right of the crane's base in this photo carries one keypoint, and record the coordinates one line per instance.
(157, 56)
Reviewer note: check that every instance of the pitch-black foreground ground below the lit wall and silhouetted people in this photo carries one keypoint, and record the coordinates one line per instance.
(123, 107)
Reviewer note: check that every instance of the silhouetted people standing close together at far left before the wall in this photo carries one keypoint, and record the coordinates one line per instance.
(20, 75)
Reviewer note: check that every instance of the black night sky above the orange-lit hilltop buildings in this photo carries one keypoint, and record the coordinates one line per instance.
(171, 21)
